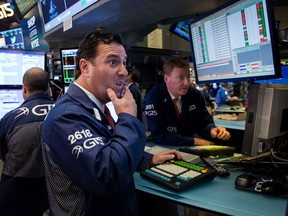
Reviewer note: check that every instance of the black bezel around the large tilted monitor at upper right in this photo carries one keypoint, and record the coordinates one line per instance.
(274, 46)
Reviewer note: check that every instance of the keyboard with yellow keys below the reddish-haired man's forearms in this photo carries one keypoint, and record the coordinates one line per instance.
(209, 150)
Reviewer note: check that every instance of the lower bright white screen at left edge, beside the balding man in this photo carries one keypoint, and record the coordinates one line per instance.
(10, 99)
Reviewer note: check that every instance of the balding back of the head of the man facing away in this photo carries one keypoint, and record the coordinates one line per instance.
(36, 80)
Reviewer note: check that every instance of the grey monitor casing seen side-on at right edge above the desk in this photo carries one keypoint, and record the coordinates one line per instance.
(267, 118)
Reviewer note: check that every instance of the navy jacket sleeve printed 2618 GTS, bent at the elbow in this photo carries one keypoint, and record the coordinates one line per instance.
(95, 159)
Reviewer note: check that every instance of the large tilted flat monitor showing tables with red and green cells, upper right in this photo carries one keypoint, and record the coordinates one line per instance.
(236, 42)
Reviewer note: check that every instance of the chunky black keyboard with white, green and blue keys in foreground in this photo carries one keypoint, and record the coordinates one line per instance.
(178, 174)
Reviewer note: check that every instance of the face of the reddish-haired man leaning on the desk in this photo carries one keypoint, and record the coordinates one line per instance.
(178, 81)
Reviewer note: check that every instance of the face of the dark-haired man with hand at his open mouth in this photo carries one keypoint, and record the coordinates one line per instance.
(107, 71)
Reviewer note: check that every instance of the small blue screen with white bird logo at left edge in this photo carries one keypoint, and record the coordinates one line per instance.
(12, 39)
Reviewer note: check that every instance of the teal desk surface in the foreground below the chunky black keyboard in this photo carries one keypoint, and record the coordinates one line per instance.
(219, 195)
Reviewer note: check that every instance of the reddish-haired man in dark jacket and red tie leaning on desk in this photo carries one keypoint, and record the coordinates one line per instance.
(176, 112)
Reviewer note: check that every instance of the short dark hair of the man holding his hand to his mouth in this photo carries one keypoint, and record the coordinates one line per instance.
(88, 46)
